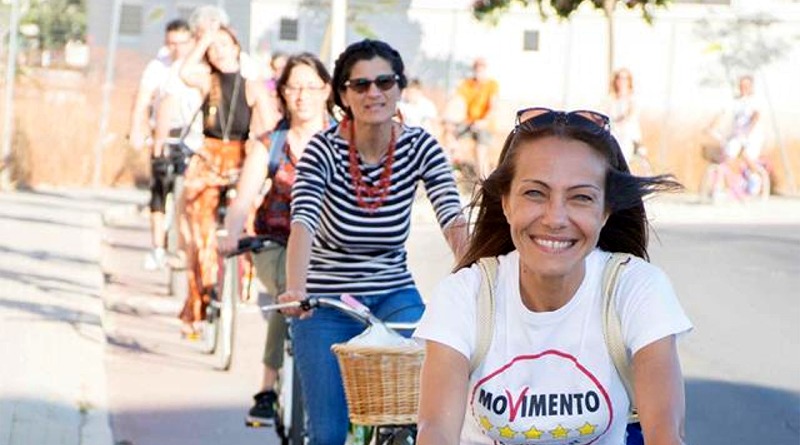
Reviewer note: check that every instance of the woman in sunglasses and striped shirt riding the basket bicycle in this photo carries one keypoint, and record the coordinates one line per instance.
(351, 216)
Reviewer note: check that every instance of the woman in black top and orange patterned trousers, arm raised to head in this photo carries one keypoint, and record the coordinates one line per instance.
(232, 110)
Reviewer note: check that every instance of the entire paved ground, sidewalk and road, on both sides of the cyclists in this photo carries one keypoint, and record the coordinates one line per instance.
(735, 267)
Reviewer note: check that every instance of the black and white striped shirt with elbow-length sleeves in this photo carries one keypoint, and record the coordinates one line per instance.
(355, 251)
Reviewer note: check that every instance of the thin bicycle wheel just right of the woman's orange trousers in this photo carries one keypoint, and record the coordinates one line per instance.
(229, 294)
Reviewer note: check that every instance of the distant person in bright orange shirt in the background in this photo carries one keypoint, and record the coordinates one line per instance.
(478, 93)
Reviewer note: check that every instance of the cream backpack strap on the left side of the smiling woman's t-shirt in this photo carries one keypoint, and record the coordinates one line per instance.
(485, 317)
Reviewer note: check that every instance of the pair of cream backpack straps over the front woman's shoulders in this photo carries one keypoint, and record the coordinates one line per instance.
(612, 329)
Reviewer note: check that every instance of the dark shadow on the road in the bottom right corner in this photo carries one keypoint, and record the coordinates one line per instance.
(725, 413)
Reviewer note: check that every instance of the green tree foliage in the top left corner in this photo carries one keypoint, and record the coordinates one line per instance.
(58, 21)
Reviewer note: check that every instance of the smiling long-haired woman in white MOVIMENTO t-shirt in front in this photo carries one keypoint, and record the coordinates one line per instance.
(560, 202)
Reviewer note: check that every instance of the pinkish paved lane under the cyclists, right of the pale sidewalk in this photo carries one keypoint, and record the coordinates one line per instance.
(162, 388)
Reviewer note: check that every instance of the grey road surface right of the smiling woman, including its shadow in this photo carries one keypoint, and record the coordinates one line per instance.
(740, 285)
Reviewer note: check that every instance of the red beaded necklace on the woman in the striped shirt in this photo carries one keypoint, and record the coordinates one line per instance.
(378, 193)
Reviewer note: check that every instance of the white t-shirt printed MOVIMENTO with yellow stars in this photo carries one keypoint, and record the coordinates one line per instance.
(548, 377)
